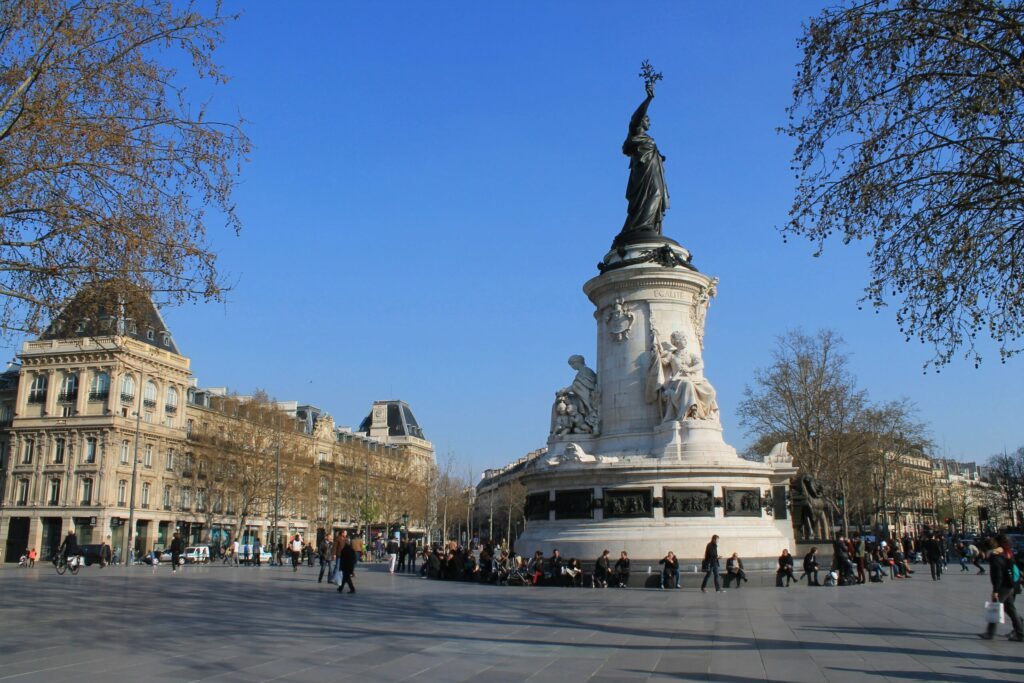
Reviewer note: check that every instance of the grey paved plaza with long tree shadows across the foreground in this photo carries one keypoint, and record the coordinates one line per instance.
(224, 624)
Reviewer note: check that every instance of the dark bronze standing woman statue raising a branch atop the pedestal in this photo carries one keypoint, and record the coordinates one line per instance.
(647, 192)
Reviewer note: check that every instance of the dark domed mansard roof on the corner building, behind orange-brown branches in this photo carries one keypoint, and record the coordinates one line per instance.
(113, 308)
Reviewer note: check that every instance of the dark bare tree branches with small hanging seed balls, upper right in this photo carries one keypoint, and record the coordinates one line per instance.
(908, 118)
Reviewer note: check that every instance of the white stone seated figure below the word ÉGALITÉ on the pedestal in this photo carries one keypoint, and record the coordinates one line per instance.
(676, 382)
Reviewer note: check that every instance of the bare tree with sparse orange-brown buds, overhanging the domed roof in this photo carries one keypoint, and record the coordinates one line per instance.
(107, 170)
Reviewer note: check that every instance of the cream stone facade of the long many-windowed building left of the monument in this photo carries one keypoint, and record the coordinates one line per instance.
(80, 410)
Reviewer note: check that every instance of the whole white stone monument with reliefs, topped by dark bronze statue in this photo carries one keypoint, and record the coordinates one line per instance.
(636, 457)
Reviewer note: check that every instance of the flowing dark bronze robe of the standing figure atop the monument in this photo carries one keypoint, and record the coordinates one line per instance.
(646, 192)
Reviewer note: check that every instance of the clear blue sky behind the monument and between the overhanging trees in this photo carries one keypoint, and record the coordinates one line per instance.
(434, 183)
